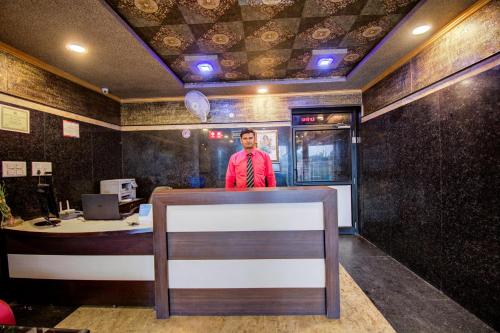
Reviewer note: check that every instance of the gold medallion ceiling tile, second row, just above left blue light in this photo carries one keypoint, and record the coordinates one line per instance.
(221, 37)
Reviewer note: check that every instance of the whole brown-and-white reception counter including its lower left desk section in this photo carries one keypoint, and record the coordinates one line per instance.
(206, 252)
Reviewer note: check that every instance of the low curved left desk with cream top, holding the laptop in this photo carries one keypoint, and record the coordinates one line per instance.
(81, 262)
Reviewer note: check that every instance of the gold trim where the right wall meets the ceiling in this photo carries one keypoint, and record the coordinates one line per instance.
(453, 23)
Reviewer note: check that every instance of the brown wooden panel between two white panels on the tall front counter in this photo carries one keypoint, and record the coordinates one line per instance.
(246, 245)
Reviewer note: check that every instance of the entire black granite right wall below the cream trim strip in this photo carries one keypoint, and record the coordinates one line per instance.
(430, 174)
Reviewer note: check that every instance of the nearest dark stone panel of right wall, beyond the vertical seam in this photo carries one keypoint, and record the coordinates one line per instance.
(471, 179)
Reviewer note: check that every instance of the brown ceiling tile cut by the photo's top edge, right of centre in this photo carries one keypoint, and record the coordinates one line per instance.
(322, 8)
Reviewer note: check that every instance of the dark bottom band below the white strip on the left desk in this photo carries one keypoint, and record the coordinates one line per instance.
(78, 292)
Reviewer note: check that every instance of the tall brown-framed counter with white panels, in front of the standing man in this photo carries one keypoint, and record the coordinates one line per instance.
(252, 252)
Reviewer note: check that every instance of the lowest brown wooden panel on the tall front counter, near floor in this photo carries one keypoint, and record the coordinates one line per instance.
(267, 301)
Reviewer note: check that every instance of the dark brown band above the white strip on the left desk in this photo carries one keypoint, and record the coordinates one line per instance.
(93, 244)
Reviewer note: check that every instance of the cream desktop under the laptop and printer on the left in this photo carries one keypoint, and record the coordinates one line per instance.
(80, 226)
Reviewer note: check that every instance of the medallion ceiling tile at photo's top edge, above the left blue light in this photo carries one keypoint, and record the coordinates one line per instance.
(209, 11)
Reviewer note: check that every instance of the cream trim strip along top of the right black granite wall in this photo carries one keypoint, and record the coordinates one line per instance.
(467, 73)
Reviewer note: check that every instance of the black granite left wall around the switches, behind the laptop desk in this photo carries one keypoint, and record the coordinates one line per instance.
(77, 164)
